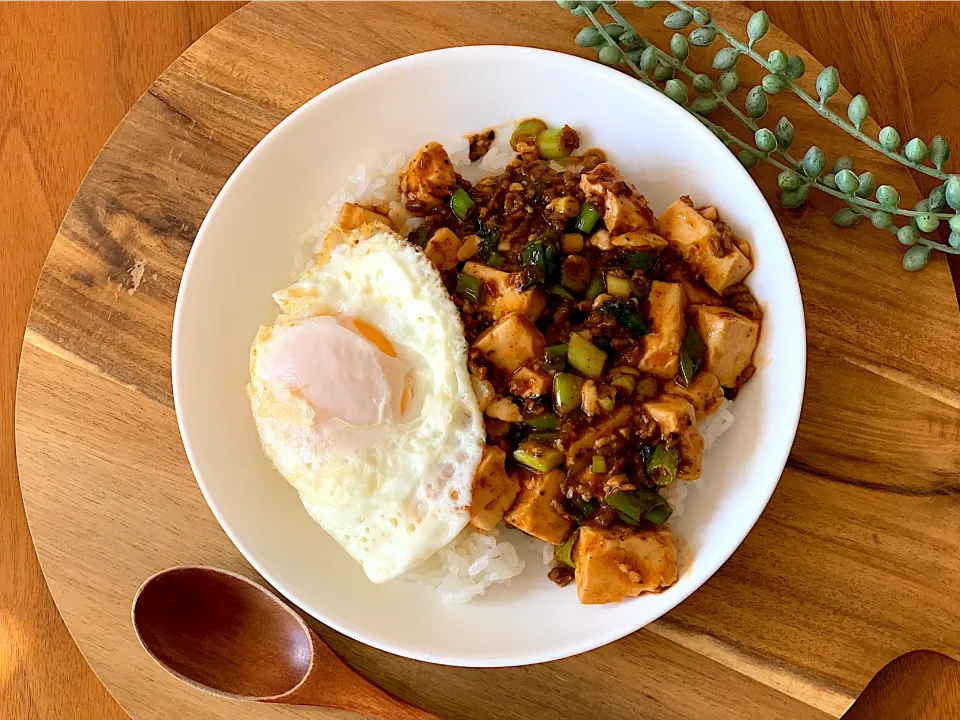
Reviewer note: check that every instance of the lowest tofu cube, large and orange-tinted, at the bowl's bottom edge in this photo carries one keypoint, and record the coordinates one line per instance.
(621, 562)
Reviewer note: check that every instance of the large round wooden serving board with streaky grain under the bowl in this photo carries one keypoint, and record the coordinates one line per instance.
(854, 562)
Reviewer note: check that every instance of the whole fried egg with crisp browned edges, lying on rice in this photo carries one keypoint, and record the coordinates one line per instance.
(362, 398)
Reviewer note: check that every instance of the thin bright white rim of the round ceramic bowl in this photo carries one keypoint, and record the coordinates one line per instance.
(788, 416)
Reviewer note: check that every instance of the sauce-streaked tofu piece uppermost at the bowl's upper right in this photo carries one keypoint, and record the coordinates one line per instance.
(720, 264)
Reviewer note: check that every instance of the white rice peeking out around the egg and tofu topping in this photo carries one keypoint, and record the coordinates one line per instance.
(474, 561)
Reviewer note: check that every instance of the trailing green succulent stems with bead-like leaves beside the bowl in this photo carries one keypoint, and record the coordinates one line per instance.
(618, 42)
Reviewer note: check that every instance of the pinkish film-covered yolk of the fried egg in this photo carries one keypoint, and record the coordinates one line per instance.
(344, 368)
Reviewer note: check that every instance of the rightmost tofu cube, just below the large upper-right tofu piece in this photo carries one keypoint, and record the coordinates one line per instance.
(730, 339)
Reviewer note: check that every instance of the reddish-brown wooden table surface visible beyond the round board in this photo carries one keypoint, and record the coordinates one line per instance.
(70, 70)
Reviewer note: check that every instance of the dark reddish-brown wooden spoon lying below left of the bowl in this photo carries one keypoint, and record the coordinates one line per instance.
(227, 635)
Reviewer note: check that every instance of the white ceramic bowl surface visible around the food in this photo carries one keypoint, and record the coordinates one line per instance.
(244, 252)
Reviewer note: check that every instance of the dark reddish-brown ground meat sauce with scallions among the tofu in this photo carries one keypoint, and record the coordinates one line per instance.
(525, 224)
